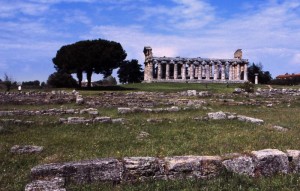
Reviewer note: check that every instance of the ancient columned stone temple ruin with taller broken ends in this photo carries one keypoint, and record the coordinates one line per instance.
(195, 70)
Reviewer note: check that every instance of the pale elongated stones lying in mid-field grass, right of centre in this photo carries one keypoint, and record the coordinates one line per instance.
(226, 115)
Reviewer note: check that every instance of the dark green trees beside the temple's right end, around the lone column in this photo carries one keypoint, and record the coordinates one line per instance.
(264, 77)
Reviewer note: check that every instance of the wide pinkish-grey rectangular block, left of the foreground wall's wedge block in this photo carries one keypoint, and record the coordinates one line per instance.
(192, 166)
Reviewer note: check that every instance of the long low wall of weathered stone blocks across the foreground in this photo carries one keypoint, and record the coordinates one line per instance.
(265, 162)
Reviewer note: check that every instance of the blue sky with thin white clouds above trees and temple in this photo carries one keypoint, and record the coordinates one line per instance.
(31, 31)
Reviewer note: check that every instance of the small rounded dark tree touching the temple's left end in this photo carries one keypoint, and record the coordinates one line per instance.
(130, 72)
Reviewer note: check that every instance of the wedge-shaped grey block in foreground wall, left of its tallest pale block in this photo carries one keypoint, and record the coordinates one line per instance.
(241, 165)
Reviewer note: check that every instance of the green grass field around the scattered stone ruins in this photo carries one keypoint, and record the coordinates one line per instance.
(178, 134)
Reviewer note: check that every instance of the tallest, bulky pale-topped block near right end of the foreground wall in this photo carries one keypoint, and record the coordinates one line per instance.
(270, 162)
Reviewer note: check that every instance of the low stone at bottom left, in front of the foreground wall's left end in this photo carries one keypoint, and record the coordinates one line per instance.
(55, 184)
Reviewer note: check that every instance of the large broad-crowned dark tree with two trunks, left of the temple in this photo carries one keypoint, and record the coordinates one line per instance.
(89, 56)
